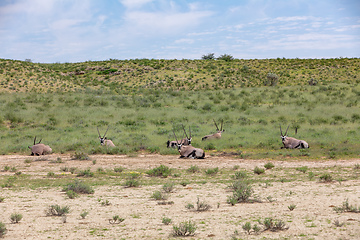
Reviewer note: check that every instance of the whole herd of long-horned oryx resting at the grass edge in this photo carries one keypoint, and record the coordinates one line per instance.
(184, 146)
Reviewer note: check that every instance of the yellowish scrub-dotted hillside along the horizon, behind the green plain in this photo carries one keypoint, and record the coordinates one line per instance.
(126, 76)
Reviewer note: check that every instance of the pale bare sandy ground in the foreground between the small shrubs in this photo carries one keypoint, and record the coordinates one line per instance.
(313, 217)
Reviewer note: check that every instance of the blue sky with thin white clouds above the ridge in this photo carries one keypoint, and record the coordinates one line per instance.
(52, 31)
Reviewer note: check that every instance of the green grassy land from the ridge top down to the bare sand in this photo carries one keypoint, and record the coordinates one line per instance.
(144, 100)
